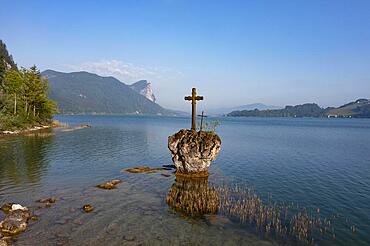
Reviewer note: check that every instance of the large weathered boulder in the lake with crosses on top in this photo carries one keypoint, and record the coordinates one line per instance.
(192, 152)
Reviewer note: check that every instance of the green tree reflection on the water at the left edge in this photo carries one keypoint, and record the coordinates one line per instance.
(23, 160)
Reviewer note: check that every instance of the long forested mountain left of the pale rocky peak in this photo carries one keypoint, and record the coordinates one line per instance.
(87, 93)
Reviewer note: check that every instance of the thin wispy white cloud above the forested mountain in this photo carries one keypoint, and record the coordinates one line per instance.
(125, 71)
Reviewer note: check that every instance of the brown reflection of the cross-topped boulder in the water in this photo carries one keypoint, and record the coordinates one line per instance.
(193, 197)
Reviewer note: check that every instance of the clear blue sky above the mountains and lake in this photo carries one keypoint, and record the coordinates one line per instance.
(234, 52)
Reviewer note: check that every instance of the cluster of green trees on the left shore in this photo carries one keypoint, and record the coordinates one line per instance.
(23, 95)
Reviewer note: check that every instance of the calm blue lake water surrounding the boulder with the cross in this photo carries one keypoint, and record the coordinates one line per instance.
(321, 166)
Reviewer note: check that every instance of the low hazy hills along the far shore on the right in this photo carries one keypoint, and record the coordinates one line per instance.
(357, 109)
